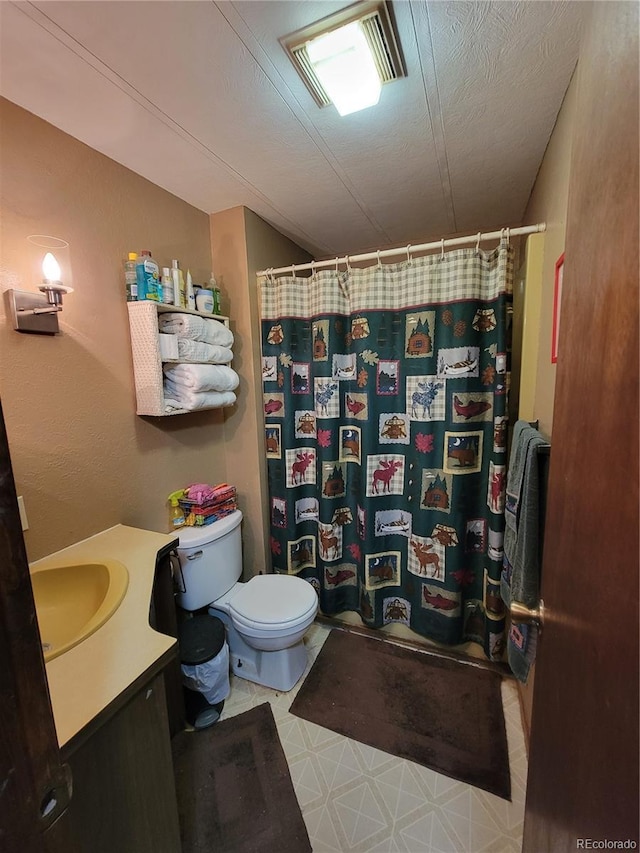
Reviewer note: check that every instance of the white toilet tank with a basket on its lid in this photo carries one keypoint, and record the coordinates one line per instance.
(210, 561)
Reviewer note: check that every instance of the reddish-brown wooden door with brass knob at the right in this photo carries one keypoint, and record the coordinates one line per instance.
(583, 766)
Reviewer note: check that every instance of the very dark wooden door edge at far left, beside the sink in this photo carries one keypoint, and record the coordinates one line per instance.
(35, 786)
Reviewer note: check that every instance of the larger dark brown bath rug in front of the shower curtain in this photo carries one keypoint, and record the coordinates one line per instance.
(432, 710)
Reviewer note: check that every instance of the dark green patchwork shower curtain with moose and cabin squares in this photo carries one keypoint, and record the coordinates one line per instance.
(385, 403)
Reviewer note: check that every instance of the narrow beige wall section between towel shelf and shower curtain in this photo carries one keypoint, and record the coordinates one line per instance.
(242, 244)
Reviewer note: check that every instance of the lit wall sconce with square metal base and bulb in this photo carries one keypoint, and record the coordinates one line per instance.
(38, 312)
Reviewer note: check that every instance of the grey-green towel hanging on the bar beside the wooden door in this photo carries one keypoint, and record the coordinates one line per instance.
(520, 579)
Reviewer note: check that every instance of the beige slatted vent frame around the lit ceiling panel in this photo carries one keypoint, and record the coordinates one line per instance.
(375, 20)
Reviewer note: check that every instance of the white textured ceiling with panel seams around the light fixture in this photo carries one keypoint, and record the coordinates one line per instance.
(200, 98)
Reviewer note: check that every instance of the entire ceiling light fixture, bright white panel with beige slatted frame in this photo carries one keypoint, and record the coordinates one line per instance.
(345, 58)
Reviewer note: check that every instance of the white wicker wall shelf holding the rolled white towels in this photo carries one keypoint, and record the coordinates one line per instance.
(148, 358)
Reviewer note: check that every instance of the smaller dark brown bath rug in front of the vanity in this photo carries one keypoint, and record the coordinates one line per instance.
(234, 790)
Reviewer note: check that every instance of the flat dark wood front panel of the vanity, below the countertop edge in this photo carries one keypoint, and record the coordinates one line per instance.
(124, 795)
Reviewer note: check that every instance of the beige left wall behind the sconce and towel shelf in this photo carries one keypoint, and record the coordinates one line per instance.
(82, 459)
